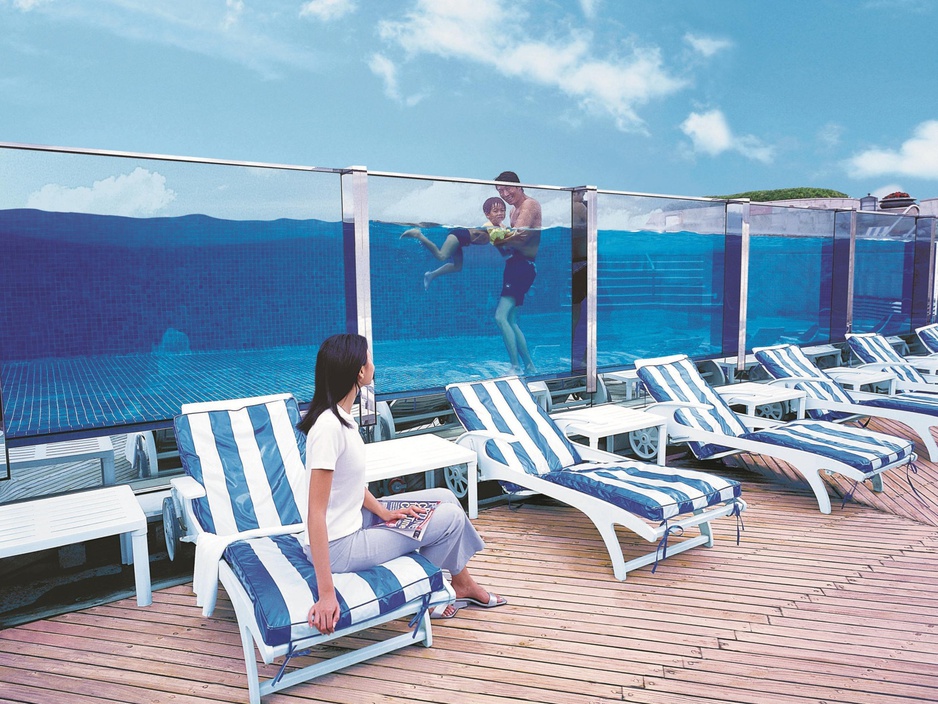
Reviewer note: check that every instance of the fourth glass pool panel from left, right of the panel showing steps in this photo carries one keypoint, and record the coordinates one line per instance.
(790, 276)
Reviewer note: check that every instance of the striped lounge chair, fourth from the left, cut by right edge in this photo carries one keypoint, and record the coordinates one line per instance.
(827, 400)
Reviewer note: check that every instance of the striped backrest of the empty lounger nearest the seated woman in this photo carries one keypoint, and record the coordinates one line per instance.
(506, 406)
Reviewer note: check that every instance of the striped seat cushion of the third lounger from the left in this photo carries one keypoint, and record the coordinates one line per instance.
(861, 449)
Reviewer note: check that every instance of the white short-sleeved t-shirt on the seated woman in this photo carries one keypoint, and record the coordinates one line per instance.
(332, 446)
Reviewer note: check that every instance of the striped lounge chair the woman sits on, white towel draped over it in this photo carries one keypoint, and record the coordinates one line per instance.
(243, 503)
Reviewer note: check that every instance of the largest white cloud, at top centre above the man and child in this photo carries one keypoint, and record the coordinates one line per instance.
(466, 30)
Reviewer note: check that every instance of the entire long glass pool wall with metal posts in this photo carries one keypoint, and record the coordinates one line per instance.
(132, 284)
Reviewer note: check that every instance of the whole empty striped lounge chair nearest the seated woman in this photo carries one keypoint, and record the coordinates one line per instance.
(518, 443)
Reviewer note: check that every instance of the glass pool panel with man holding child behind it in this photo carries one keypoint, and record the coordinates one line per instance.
(438, 310)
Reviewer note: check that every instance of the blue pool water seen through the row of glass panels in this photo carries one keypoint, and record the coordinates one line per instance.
(111, 321)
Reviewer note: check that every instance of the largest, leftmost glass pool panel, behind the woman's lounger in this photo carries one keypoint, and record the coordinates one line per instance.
(133, 286)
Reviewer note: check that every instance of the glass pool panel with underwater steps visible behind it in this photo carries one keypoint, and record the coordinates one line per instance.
(660, 278)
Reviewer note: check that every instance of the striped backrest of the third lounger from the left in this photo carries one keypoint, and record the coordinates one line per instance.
(677, 379)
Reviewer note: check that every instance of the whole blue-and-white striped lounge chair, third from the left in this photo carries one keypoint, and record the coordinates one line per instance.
(699, 416)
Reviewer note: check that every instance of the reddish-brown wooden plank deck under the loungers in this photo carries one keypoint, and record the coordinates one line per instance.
(806, 609)
